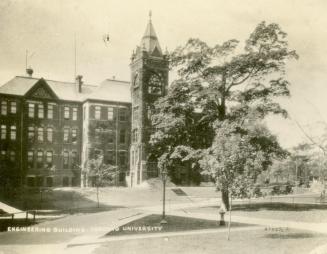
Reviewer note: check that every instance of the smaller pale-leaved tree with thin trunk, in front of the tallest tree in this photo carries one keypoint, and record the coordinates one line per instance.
(238, 155)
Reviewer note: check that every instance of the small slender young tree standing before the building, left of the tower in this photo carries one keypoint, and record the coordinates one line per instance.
(103, 174)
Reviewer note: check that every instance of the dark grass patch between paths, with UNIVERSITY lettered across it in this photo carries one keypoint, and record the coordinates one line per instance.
(151, 224)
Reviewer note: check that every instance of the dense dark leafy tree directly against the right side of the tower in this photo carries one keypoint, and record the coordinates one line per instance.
(179, 130)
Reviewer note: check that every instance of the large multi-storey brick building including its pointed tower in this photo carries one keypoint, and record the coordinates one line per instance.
(50, 129)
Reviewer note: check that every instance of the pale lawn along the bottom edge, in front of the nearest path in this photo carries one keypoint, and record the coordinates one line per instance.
(245, 242)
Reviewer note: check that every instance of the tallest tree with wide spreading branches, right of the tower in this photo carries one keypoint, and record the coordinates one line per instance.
(225, 83)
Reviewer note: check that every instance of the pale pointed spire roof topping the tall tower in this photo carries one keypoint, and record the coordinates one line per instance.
(150, 40)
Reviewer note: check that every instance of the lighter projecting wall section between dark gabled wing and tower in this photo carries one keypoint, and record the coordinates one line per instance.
(106, 130)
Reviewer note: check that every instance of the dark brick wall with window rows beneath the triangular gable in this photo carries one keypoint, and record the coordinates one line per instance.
(40, 155)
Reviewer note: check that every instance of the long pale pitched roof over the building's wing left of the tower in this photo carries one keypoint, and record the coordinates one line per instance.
(108, 90)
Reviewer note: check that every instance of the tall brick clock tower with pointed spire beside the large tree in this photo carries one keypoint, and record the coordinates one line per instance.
(149, 70)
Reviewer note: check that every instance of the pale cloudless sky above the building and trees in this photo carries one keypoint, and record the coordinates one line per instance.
(48, 28)
